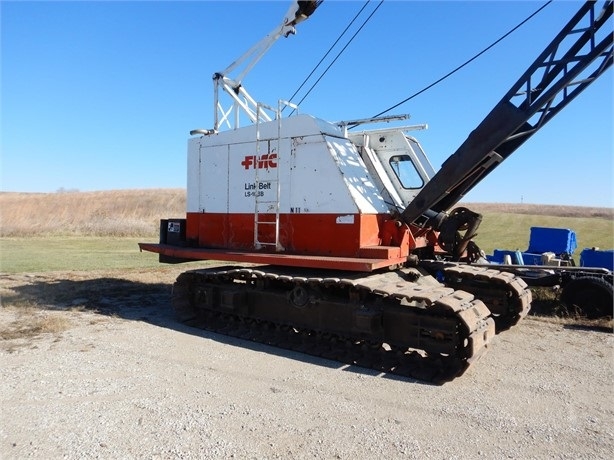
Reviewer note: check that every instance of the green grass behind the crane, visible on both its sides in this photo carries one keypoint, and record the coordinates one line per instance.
(52, 253)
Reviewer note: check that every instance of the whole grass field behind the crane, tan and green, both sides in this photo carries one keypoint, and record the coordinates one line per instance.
(100, 230)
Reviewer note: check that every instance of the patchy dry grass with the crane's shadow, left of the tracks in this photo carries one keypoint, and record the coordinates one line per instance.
(32, 305)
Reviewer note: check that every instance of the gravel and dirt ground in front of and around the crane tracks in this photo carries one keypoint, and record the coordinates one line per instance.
(94, 365)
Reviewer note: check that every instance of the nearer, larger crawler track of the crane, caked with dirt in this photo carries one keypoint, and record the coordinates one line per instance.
(396, 322)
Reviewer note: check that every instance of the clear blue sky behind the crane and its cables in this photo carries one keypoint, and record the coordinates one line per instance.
(102, 95)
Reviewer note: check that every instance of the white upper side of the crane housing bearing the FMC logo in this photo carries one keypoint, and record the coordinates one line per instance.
(317, 173)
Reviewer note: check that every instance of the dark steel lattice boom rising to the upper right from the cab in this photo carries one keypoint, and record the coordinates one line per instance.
(578, 55)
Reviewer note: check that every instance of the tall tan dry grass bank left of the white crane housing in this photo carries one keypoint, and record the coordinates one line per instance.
(110, 213)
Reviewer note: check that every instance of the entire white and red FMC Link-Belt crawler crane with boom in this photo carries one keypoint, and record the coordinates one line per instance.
(343, 243)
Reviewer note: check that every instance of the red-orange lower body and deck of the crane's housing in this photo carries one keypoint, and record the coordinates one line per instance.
(369, 243)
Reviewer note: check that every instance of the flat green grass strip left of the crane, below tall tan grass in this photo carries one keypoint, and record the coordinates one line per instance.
(39, 254)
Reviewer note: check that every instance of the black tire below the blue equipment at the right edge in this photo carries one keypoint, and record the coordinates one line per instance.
(590, 296)
